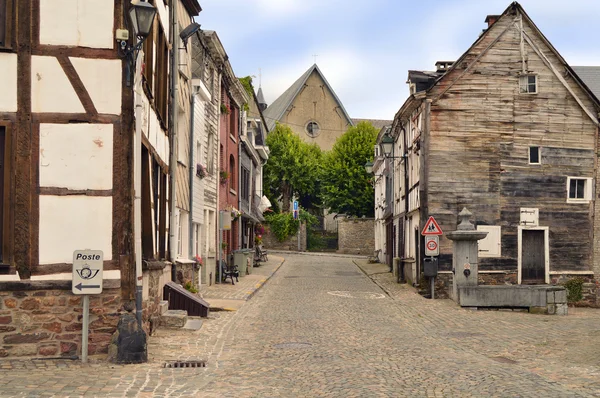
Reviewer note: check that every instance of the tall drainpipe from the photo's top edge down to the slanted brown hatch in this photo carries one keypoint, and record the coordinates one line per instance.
(173, 141)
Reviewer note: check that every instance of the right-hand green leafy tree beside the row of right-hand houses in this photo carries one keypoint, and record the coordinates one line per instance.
(345, 185)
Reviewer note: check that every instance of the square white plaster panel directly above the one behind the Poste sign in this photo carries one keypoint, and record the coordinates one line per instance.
(76, 156)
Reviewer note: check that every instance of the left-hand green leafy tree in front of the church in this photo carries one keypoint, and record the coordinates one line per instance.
(293, 166)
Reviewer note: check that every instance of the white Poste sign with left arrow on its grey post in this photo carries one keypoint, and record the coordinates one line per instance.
(87, 279)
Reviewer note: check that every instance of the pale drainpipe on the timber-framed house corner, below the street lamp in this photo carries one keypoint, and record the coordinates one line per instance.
(137, 188)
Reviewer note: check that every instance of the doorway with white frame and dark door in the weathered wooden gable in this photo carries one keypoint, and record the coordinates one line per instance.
(533, 256)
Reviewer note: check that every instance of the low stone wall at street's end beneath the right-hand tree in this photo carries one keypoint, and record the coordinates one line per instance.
(356, 235)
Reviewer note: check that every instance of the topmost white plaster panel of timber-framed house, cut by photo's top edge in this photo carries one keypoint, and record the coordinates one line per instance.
(82, 23)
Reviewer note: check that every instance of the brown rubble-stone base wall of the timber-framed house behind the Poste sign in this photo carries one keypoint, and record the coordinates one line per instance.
(44, 319)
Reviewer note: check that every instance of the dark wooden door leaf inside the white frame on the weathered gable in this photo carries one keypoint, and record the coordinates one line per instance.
(533, 257)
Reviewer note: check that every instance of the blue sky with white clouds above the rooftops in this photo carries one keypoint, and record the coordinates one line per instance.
(365, 48)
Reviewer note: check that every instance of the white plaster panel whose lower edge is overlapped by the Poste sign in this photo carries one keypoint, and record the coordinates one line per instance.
(69, 223)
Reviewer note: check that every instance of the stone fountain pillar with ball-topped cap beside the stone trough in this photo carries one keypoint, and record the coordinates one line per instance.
(464, 253)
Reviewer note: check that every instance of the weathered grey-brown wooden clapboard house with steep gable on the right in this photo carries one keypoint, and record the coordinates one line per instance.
(509, 131)
